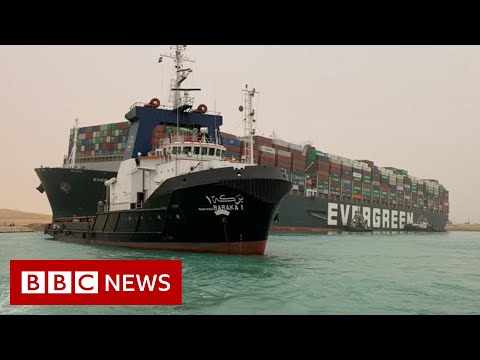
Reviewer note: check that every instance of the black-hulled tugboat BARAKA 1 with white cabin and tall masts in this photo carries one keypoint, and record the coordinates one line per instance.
(184, 195)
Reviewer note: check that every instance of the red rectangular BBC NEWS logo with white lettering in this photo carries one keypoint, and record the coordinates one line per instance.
(95, 282)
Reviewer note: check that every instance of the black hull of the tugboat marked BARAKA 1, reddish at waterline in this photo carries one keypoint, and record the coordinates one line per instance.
(222, 210)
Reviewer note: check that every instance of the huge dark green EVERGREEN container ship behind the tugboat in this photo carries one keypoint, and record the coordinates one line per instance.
(328, 189)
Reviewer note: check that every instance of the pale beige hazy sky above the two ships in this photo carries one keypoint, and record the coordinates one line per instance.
(411, 107)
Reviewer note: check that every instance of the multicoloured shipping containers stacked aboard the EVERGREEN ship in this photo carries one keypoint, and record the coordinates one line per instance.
(328, 174)
